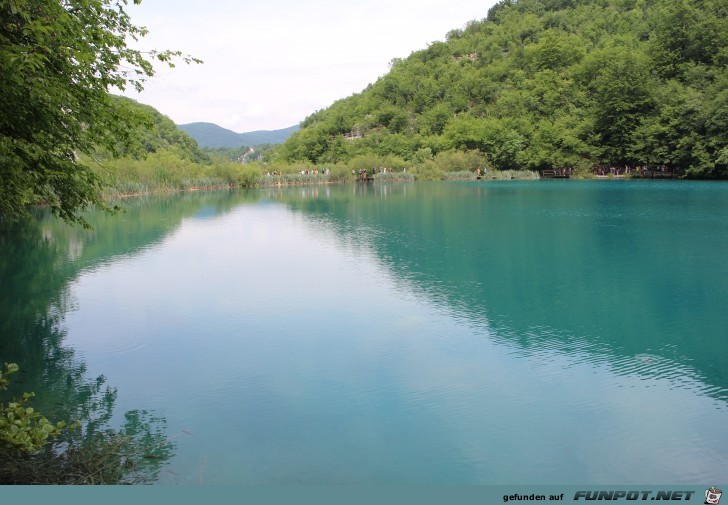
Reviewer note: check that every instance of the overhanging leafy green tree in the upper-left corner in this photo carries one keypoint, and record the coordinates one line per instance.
(59, 59)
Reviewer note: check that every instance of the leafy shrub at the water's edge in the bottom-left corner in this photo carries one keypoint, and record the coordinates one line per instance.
(35, 451)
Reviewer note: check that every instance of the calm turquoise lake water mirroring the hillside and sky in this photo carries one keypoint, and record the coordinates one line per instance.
(505, 332)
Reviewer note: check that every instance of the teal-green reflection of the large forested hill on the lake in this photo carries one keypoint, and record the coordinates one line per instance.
(563, 268)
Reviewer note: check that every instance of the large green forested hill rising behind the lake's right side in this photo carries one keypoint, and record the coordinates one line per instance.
(542, 84)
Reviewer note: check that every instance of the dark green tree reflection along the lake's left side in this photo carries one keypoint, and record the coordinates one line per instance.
(39, 260)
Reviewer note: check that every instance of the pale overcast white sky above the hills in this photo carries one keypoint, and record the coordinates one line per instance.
(268, 64)
